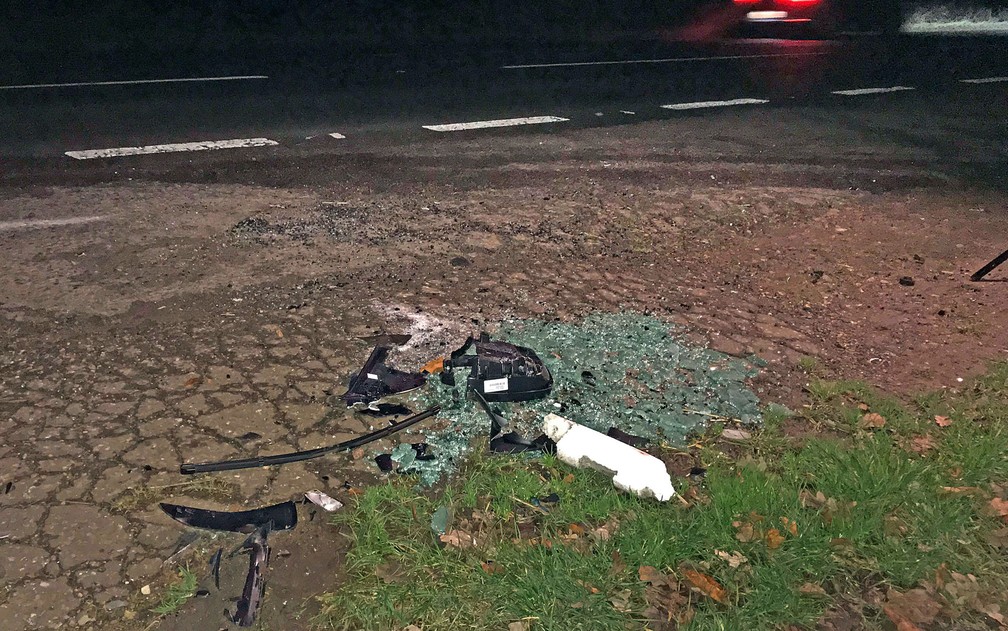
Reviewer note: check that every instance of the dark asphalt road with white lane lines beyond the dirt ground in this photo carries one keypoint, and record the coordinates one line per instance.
(289, 98)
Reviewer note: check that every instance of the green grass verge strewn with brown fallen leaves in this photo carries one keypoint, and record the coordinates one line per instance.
(890, 525)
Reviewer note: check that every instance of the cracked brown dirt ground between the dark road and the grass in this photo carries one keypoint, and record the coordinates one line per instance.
(205, 317)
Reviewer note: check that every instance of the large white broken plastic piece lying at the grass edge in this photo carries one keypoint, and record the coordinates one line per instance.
(633, 470)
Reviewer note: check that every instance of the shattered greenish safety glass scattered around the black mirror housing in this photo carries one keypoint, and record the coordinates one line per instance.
(629, 371)
